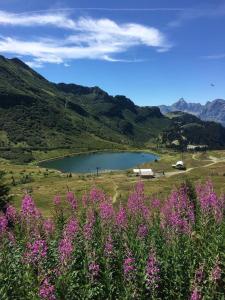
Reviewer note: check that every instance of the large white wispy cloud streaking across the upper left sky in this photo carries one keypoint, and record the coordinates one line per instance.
(87, 38)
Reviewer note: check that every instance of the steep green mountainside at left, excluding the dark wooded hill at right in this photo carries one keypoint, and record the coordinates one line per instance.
(36, 112)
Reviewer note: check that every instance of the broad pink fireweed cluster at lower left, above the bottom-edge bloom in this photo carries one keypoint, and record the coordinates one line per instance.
(36, 251)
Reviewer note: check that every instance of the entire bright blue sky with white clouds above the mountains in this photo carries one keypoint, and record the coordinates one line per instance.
(151, 51)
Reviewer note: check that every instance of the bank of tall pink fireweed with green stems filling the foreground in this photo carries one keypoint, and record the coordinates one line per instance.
(139, 249)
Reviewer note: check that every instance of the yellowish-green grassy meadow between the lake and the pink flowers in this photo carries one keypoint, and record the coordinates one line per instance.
(44, 184)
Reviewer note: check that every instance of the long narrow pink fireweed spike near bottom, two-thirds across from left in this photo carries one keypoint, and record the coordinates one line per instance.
(152, 271)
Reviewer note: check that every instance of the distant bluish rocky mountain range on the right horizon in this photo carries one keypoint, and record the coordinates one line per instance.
(211, 111)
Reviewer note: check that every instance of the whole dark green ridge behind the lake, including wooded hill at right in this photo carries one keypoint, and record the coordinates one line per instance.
(39, 115)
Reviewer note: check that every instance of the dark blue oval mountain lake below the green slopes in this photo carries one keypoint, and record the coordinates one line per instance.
(105, 161)
